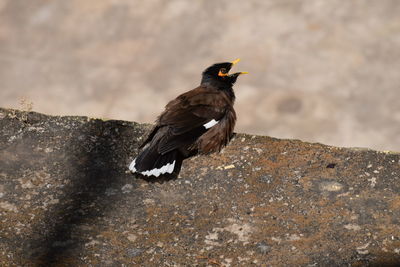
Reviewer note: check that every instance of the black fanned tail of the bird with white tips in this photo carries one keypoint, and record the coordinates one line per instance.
(150, 163)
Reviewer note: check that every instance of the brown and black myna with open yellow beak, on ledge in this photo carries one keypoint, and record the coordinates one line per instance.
(200, 121)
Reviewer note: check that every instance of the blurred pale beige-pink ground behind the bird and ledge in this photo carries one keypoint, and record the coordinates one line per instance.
(320, 71)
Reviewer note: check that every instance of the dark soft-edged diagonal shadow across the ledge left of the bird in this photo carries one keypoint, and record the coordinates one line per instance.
(94, 162)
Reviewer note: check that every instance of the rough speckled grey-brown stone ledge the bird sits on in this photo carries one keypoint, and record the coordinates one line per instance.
(66, 199)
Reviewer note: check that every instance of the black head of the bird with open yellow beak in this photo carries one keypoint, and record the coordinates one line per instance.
(218, 74)
